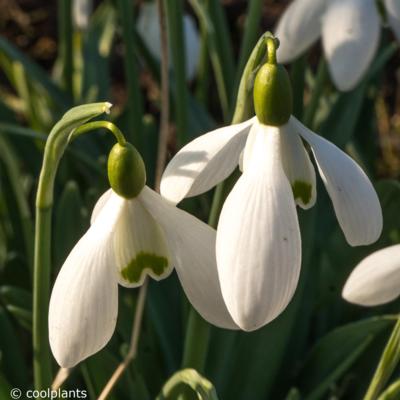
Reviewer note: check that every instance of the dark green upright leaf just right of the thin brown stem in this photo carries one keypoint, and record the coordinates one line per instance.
(174, 11)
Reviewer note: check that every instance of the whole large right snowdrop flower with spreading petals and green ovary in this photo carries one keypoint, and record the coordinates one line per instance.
(258, 238)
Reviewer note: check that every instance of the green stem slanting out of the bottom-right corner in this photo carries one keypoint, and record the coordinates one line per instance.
(387, 364)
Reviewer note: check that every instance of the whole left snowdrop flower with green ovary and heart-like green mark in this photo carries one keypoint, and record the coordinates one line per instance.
(134, 233)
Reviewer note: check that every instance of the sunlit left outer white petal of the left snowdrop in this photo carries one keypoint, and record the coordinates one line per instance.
(84, 301)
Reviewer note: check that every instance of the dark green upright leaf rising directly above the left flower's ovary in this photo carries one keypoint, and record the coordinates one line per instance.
(135, 103)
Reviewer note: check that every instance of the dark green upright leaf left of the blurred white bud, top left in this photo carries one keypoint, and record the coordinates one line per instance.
(65, 33)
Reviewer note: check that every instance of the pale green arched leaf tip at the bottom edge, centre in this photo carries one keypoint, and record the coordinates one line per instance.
(189, 385)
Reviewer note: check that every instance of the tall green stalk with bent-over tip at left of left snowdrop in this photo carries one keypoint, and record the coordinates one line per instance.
(54, 149)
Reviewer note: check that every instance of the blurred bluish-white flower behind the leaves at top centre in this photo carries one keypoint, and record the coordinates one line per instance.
(149, 28)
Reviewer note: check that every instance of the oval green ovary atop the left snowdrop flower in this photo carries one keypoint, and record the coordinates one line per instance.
(126, 170)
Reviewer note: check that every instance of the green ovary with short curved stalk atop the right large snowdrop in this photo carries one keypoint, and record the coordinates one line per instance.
(272, 90)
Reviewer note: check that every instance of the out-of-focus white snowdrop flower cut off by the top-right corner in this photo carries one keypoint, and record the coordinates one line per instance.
(350, 31)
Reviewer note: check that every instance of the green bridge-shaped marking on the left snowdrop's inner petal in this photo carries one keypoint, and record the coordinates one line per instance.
(134, 270)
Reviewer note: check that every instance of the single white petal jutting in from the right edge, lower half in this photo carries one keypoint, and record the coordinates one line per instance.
(376, 279)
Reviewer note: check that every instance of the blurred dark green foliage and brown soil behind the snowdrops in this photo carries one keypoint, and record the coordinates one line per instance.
(53, 57)
